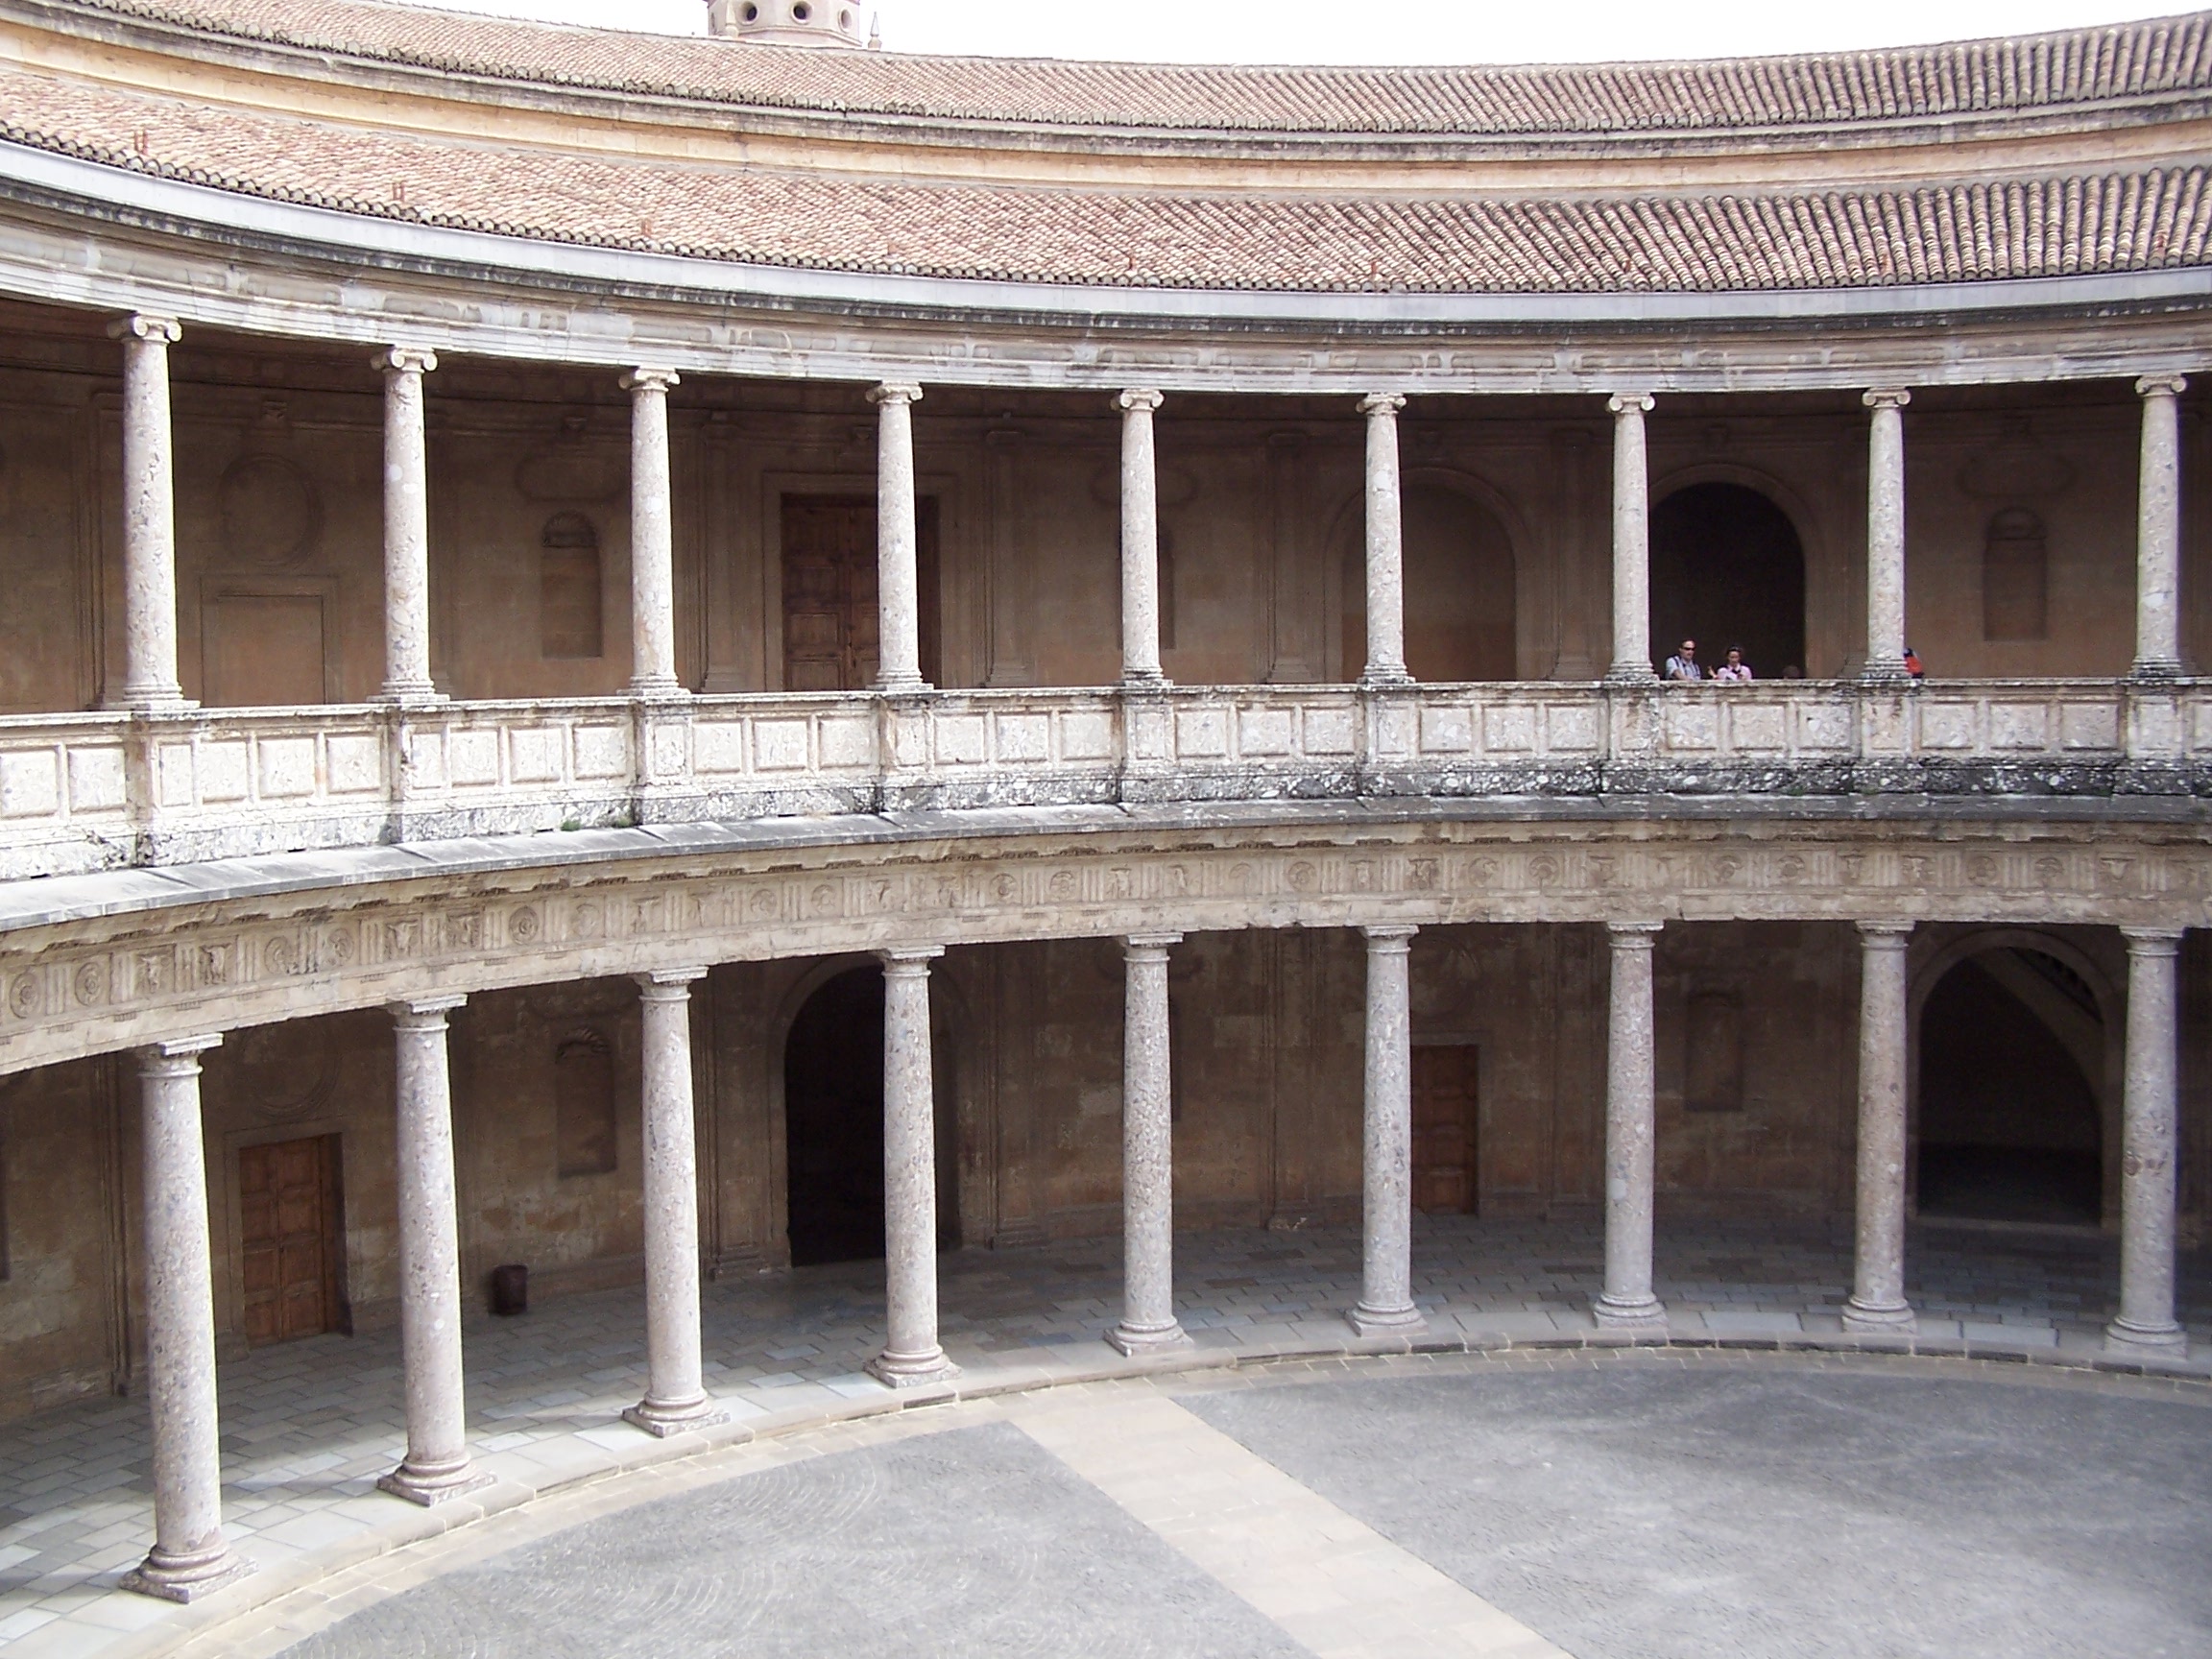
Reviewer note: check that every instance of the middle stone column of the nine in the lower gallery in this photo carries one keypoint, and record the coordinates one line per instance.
(1147, 1154)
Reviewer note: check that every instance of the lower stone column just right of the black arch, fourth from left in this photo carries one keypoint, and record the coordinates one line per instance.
(910, 1178)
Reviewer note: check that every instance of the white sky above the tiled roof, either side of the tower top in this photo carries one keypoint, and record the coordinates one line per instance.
(1390, 32)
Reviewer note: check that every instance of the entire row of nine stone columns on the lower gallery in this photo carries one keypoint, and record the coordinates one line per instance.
(191, 1556)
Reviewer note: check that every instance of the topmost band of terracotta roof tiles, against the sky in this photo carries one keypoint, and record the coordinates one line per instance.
(1983, 76)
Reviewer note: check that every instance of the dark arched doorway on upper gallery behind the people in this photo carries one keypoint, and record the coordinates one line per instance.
(1729, 570)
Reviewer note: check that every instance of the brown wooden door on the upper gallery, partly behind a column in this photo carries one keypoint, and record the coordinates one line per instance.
(831, 592)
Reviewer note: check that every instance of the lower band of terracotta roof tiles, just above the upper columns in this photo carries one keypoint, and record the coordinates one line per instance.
(2049, 227)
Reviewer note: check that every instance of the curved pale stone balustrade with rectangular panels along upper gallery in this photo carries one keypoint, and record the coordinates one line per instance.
(158, 789)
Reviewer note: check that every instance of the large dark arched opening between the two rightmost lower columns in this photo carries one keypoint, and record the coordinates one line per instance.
(2010, 1127)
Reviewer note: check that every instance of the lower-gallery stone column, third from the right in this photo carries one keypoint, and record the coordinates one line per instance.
(1629, 1300)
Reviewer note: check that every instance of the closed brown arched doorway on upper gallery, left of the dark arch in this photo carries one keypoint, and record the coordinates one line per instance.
(1459, 589)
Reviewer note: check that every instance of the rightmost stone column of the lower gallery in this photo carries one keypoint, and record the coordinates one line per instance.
(2147, 1185)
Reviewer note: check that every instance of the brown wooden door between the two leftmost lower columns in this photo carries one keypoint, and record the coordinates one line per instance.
(289, 1211)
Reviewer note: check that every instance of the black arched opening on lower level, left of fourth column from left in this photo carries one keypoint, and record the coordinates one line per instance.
(833, 1120)
